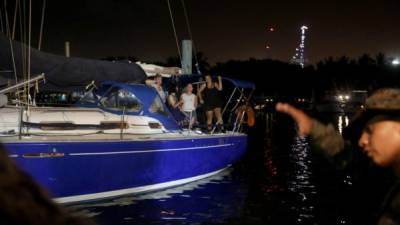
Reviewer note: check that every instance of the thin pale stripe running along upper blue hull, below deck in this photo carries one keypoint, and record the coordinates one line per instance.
(148, 151)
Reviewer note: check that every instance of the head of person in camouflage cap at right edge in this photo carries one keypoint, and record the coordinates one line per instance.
(377, 127)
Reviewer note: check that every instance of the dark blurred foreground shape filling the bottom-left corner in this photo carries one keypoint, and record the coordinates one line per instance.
(22, 201)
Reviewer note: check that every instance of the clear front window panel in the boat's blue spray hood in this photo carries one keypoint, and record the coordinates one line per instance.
(120, 99)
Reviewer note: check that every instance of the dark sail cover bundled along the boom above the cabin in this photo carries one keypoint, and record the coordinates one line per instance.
(64, 73)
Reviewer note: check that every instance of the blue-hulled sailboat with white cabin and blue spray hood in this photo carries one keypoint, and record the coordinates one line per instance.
(119, 139)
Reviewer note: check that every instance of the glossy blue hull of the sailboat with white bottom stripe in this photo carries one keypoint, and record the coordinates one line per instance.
(79, 171)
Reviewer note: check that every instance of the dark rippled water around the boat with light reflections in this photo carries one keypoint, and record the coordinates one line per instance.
(280, 180)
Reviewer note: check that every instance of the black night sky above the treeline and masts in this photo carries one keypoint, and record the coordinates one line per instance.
(222, 29)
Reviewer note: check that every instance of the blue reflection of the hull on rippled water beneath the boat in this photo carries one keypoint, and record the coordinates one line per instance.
(214, 199)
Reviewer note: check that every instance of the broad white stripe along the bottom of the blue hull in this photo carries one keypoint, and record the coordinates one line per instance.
(141, 189)
